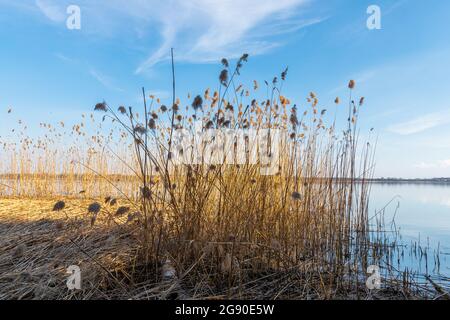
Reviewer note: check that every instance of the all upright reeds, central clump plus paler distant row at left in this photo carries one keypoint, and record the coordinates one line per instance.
(221, 229)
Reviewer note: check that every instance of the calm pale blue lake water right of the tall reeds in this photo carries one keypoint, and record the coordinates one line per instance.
(422, 215)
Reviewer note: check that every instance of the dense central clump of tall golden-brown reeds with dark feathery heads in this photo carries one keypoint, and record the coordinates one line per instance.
(223, 224)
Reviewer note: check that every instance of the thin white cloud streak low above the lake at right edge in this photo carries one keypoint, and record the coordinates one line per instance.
(421, 123)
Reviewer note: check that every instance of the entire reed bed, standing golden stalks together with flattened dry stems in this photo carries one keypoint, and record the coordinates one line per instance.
(155, 228)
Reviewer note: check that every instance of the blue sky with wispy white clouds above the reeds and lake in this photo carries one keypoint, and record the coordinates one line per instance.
(49, 73)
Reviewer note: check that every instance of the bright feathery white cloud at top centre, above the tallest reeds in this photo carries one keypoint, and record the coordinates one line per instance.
(227, 28)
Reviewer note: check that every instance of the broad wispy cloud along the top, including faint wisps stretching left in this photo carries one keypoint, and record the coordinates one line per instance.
(200, 30)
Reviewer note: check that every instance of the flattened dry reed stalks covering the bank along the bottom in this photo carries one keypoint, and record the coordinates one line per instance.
(38, 244)
